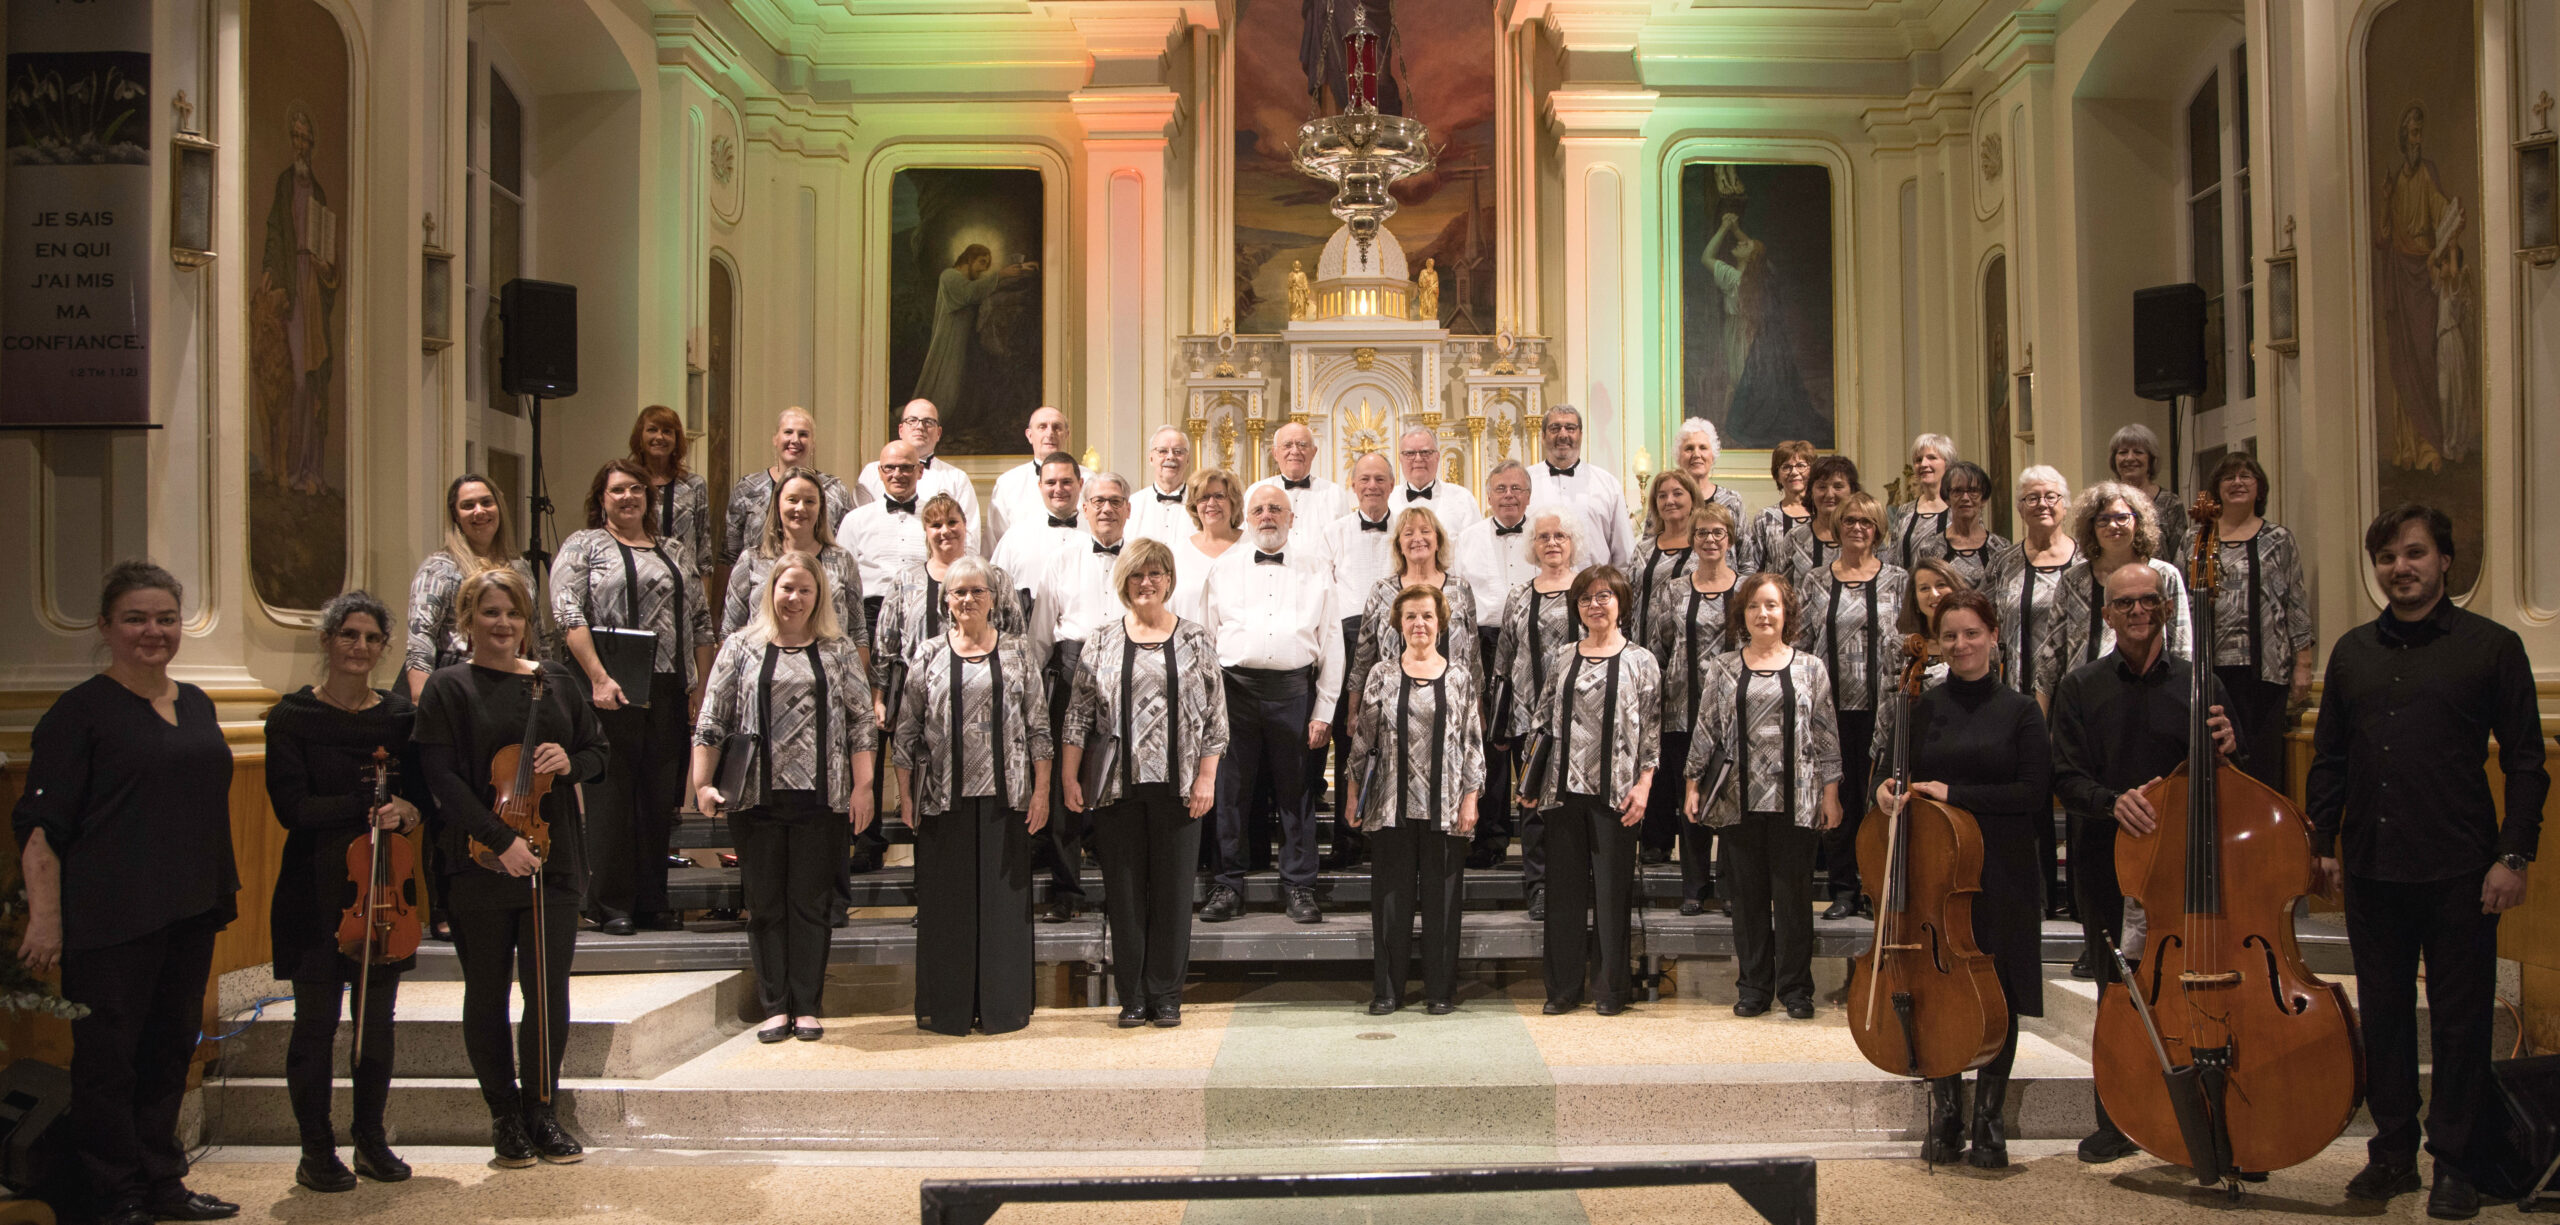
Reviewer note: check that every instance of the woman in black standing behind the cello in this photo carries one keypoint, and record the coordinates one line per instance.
(1983, 748)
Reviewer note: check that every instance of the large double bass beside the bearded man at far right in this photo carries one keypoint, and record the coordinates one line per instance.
(2221, 1050)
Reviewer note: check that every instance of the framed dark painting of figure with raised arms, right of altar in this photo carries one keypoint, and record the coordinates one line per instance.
(1755, 303)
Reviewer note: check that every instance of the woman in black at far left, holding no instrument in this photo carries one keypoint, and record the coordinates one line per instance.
(124, 835)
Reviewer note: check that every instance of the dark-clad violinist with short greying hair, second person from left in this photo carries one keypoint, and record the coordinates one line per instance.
(319, 781)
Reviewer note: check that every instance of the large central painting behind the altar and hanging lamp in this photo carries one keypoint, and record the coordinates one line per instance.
(1445, 216)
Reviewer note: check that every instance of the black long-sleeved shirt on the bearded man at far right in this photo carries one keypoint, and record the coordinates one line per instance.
(2405, 722)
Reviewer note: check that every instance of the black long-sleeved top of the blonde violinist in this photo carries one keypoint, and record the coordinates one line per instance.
(465, 717)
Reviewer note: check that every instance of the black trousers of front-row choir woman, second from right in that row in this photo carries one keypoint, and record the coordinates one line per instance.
(1594, 868)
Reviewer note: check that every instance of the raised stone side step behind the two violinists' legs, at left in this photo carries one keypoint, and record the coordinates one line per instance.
(623, 1027)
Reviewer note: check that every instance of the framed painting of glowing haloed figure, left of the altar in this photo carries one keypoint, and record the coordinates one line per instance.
(964, 303)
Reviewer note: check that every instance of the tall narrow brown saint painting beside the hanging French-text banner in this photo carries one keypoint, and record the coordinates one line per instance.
(298, 295)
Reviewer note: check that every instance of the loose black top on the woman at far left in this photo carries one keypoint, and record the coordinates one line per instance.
(134, 807)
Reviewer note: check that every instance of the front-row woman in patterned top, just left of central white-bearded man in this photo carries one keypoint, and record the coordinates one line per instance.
(1148, 687)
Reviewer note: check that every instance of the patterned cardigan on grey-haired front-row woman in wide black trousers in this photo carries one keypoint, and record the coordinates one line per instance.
(925, 725)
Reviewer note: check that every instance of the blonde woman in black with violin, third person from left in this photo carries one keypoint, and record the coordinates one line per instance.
(465, 717)
